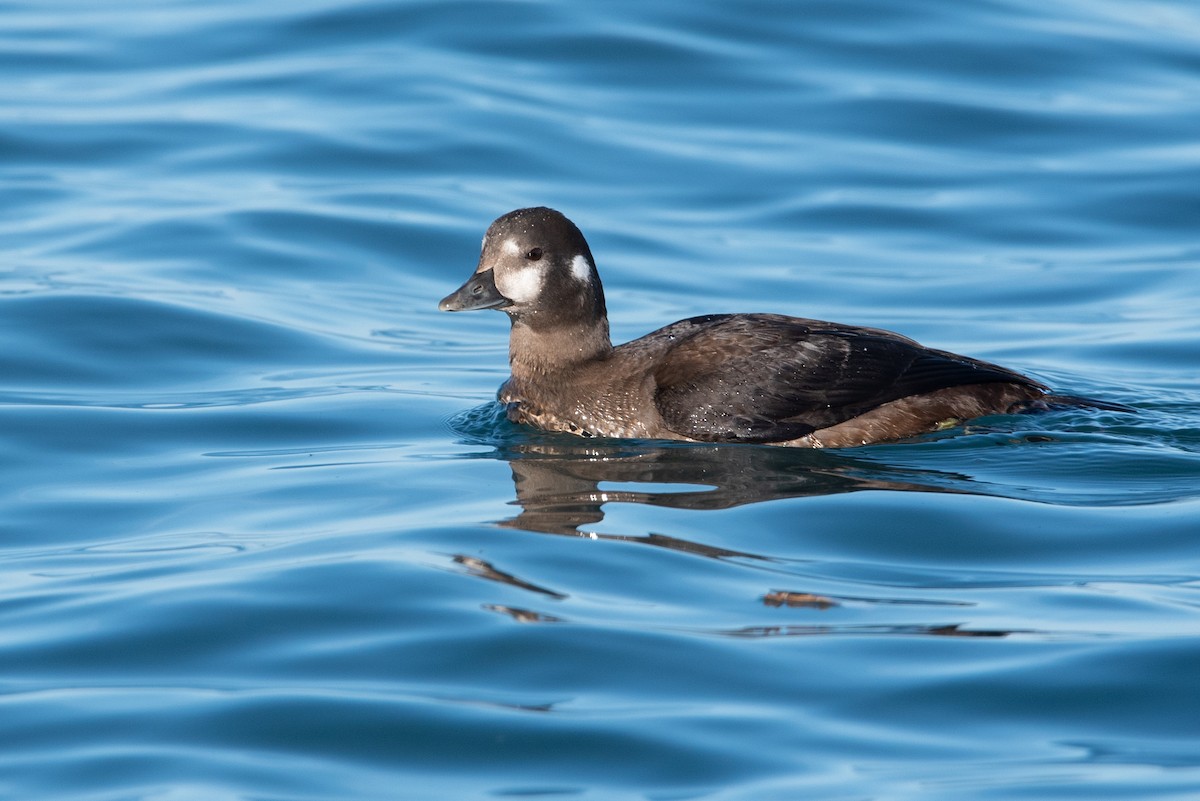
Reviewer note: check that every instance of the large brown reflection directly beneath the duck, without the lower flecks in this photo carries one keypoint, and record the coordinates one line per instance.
(561, 487)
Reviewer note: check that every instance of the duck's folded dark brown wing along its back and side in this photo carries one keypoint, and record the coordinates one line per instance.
(764, 378)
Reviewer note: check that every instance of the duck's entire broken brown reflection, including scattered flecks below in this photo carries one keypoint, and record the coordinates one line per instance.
(562, 489)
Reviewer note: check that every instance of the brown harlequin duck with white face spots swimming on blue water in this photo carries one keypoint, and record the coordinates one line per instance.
(719, 378)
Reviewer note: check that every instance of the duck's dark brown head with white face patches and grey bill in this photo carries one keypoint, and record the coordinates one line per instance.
(537, 268)
